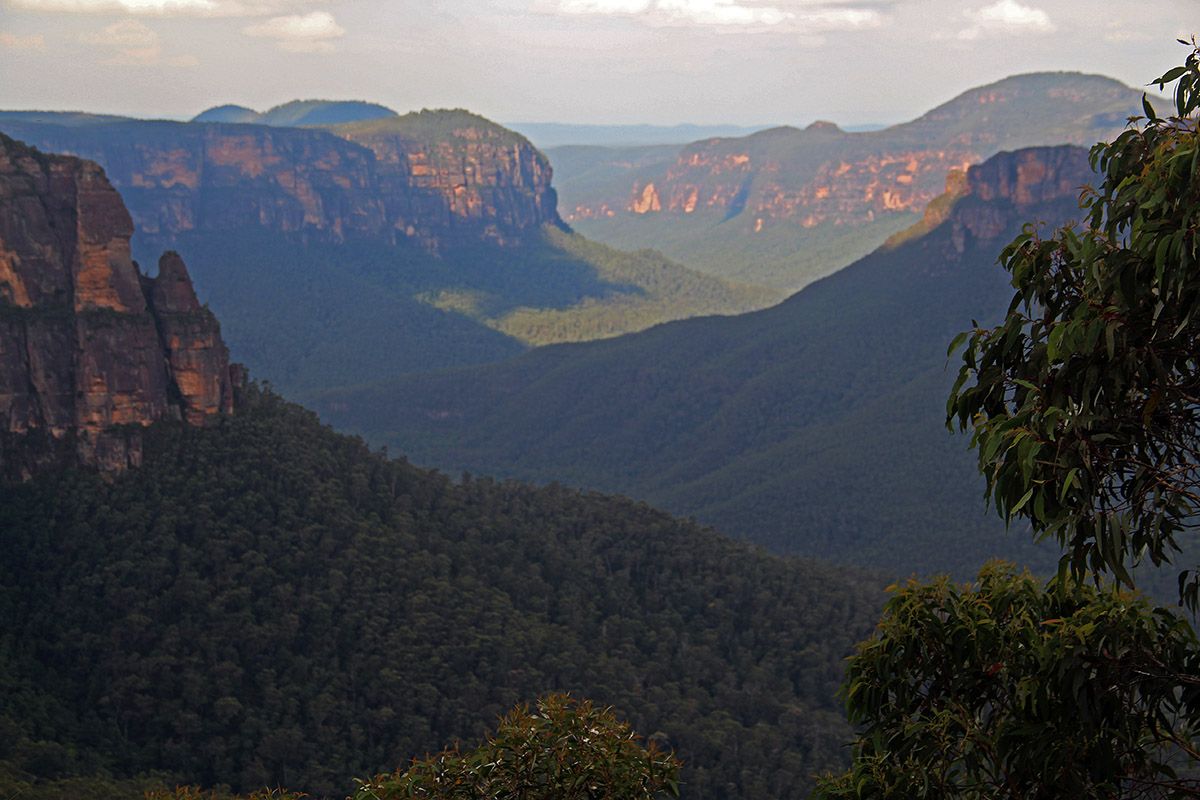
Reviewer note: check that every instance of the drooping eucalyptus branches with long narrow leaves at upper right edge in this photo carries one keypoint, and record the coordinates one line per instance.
(1084, 401)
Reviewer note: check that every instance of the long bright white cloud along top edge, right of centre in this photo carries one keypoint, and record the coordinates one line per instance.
(801, 15)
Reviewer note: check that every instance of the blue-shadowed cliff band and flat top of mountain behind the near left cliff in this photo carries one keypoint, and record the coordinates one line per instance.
(439, 178)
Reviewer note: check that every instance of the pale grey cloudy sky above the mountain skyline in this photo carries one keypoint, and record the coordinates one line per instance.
(586, 62)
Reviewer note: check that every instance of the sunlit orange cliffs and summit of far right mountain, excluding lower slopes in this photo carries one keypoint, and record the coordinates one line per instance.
(826, 177)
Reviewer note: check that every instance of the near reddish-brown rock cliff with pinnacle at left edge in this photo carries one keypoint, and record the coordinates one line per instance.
(91, 350)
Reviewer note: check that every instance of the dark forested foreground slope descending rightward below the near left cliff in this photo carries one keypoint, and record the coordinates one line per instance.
(268, 604)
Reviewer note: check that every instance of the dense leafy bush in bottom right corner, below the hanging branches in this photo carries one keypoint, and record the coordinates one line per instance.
(1006, 690)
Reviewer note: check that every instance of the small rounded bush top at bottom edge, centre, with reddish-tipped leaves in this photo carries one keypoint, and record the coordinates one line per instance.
(562, 750)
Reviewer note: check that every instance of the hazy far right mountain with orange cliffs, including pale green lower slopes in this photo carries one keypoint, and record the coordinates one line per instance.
(785, 207)
